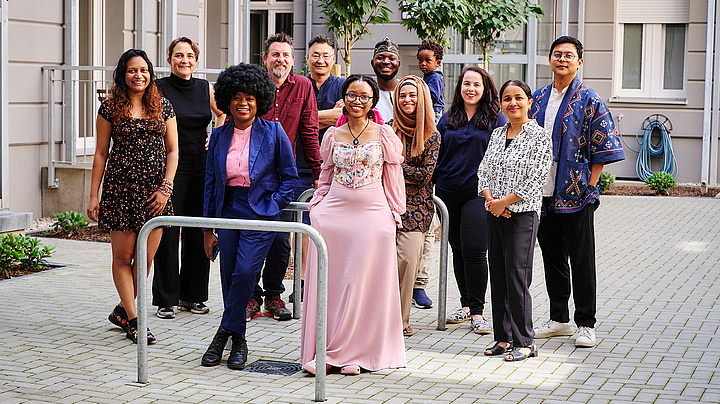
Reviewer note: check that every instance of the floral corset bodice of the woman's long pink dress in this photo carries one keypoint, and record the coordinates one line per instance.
(356, 166)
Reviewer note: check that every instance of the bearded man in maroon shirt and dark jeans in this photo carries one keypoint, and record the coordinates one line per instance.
(296, 110)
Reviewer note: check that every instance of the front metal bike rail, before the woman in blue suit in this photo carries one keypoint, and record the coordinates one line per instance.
(238, 224)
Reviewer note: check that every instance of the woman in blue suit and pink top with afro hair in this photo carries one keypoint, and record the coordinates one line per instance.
(250, 174)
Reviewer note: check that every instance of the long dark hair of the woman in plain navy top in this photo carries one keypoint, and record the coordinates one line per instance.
(488, 107)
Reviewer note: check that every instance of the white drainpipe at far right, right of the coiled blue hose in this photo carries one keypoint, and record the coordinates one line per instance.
(707, 106)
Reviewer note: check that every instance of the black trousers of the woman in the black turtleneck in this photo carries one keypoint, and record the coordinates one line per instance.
(183, 278)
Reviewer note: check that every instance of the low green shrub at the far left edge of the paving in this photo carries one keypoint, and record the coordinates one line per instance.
(25, 252)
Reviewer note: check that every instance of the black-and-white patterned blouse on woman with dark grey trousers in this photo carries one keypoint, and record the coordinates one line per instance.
(520, 168)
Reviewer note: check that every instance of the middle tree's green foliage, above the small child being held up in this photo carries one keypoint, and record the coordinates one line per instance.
(430, 19)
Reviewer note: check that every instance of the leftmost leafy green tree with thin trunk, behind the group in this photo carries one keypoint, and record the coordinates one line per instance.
(349, 20)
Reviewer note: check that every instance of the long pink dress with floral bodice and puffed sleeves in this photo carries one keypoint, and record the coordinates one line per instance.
(359, 201)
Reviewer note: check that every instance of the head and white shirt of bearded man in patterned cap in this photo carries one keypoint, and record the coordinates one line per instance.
(385, 63)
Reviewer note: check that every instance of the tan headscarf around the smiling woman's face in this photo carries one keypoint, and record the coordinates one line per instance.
(420, 125)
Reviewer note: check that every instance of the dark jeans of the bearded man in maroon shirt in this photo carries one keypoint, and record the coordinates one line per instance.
(278, 256)
